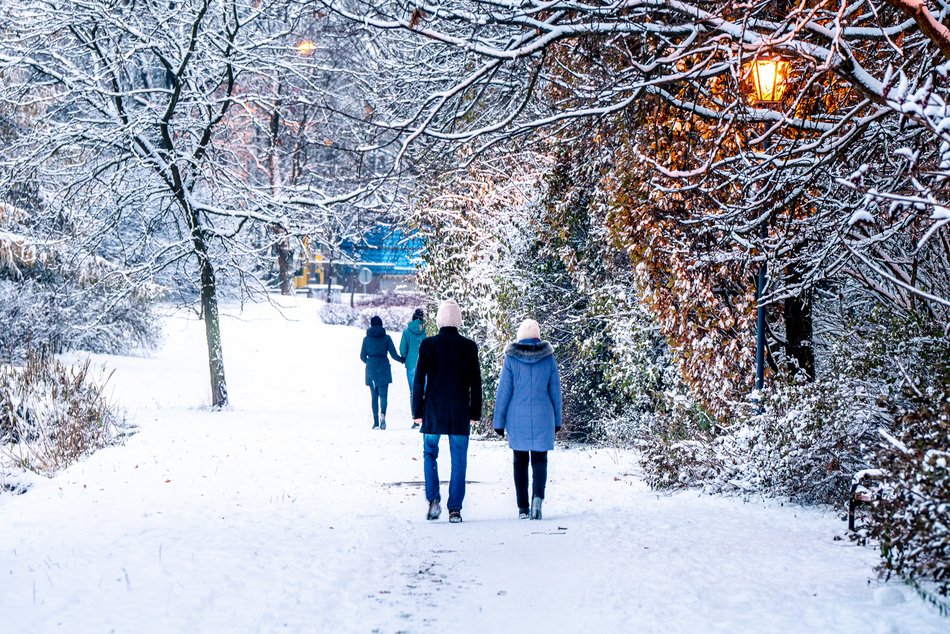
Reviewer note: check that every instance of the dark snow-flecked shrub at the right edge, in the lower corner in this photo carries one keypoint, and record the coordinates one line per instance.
(912, 521)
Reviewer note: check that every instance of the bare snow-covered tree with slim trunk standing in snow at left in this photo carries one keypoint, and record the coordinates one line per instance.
(139, 113)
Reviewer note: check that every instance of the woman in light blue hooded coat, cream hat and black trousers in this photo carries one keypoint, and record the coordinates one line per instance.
(528, 406)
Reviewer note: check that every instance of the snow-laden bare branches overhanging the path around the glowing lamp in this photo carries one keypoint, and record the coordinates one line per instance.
(499, 70)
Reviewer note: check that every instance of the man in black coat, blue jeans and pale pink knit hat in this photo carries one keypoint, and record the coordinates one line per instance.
(447, 399)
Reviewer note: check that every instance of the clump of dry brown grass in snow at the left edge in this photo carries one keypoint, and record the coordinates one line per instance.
(51, 415)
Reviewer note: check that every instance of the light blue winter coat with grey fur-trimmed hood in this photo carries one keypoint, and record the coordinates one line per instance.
(528, 403)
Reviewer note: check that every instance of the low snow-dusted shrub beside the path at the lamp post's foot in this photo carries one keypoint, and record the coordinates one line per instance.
(806, 443)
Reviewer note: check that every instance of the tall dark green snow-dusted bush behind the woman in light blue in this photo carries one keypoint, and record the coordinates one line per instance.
(578, 287)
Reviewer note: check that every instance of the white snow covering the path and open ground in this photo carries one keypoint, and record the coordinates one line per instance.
(287, 513)
